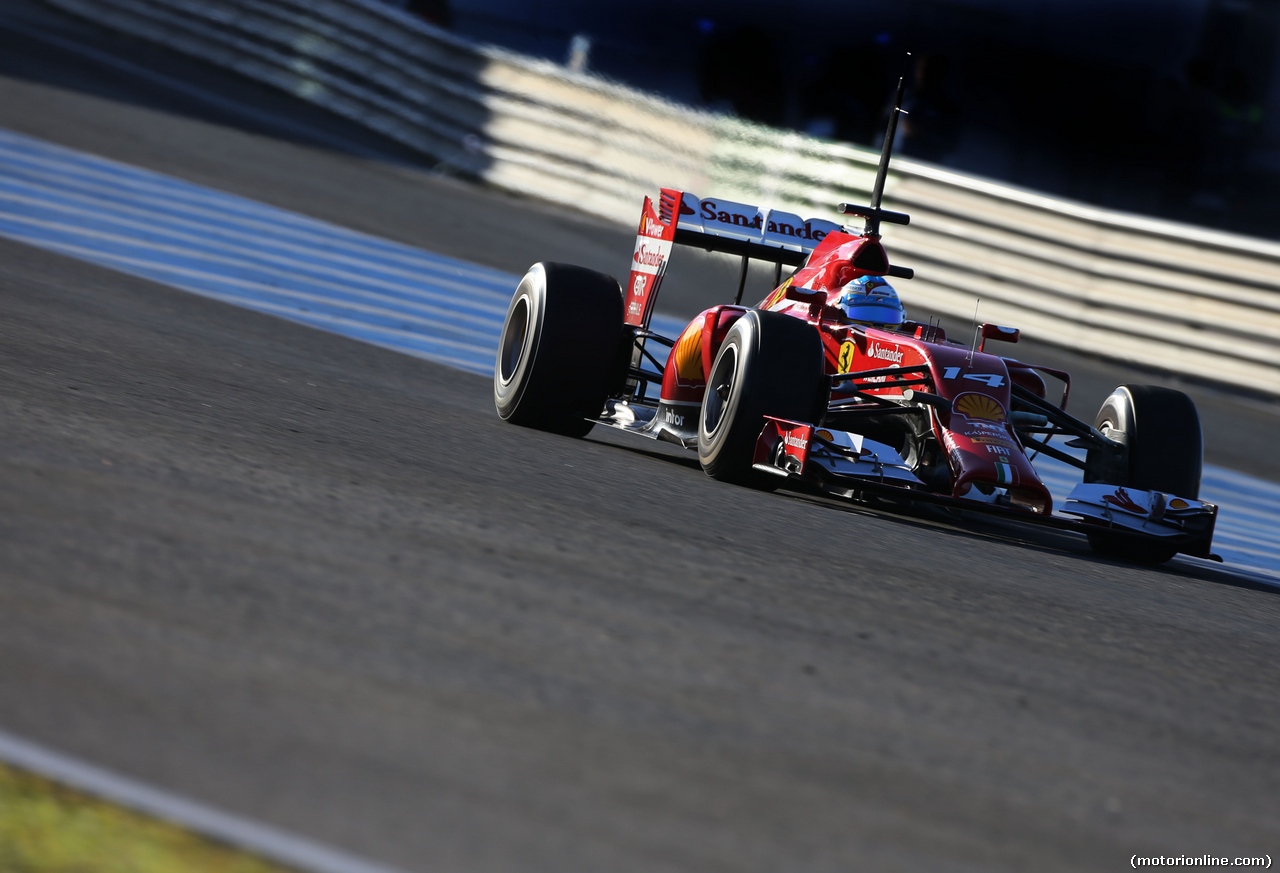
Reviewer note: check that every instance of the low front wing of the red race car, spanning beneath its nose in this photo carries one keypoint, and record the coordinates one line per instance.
(851, 465)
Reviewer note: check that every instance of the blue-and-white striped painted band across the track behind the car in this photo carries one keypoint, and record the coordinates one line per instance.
(400, 298)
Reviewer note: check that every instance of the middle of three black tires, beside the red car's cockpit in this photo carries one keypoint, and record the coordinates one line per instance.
(770, 364)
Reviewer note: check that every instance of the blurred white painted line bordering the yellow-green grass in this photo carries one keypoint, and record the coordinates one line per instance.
(259, 839)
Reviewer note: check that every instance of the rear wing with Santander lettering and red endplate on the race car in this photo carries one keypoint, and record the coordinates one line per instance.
(719, 226)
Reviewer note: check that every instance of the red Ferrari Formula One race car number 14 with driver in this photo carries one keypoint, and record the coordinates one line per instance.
(826, 386)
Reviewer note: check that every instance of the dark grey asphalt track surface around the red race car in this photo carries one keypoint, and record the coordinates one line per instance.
(321, 586)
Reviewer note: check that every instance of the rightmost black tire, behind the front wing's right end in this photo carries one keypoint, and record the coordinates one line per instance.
(1164, 454)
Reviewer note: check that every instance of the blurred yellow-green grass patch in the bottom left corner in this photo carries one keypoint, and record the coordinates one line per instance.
(47, 828)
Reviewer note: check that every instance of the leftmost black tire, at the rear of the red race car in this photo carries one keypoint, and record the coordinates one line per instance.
(559, 349)
